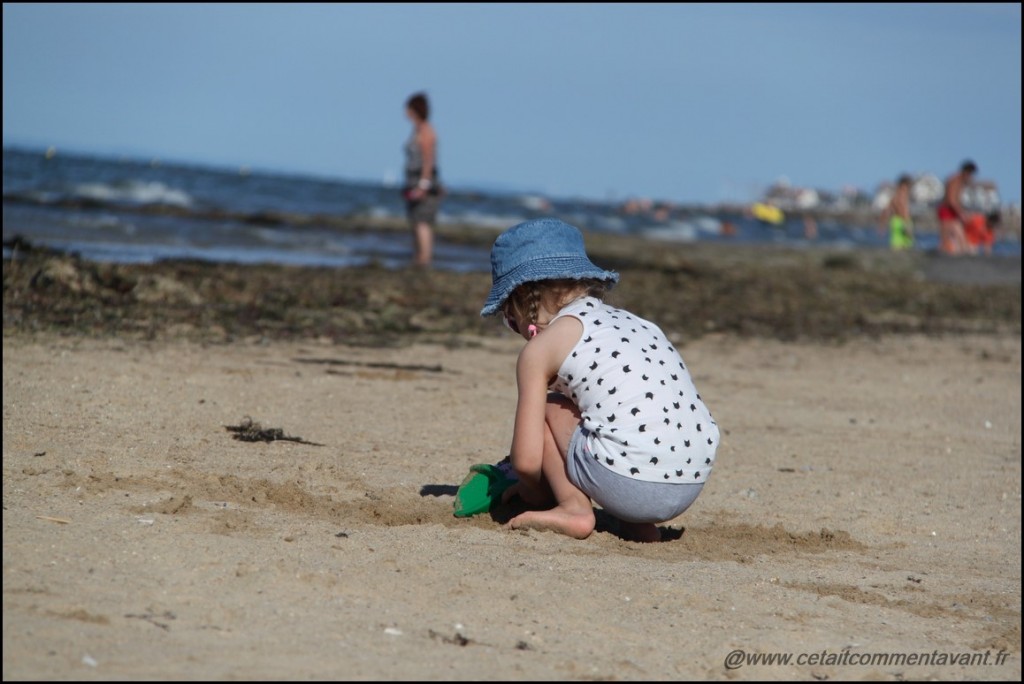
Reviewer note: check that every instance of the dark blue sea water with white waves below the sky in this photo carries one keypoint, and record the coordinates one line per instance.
(132, 211)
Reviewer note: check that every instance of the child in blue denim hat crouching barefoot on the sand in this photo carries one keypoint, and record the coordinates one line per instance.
(608, 411)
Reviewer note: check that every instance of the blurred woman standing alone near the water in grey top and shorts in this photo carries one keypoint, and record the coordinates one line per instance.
(423, 189)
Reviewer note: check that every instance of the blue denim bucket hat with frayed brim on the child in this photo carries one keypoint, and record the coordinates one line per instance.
(543, 249)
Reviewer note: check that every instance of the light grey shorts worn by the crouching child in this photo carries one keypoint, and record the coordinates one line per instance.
(625, 498)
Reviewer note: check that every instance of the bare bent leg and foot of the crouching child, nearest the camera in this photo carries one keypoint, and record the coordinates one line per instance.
(574, 515)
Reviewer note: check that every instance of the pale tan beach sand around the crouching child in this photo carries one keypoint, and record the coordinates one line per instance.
(866, 505)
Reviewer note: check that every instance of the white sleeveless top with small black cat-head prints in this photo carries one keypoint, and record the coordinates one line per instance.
(643, 415)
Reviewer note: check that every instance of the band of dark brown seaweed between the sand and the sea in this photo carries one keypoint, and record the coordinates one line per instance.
(689, 290)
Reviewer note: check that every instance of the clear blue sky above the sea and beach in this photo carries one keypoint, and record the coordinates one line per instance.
(687, 103)
